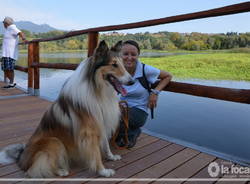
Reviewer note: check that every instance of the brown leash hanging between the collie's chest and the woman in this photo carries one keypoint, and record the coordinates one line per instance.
(124, 115)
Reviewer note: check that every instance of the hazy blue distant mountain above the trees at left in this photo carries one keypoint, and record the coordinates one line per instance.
(30, 26)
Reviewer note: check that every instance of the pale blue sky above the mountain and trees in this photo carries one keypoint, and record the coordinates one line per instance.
(81, 14)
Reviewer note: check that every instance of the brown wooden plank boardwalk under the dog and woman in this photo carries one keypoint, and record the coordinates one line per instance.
(150, 158)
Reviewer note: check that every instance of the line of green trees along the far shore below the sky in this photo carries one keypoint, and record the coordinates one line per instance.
(163, 41)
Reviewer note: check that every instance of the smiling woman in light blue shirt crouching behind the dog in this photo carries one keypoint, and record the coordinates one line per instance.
(138, 97)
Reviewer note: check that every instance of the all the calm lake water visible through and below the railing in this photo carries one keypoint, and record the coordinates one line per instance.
(214, 126)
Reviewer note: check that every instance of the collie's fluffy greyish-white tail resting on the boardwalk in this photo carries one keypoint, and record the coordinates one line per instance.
(11, 153)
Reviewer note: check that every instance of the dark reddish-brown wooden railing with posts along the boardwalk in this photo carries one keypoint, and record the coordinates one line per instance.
(228, 94)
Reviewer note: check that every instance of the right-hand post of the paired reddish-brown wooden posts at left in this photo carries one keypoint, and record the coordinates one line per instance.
(36, 69)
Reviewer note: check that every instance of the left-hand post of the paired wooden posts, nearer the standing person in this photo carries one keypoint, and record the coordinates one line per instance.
(30, 69)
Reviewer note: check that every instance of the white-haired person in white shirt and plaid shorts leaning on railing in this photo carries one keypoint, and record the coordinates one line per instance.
(10, 50)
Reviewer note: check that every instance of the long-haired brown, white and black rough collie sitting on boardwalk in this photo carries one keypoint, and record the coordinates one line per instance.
(77, 126)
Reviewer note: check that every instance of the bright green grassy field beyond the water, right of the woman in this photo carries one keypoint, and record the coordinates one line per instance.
(212, 66)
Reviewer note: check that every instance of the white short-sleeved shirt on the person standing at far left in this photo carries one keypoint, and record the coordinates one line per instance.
(10, 42)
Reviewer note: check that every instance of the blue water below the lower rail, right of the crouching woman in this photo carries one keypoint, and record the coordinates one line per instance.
(213, 126)
